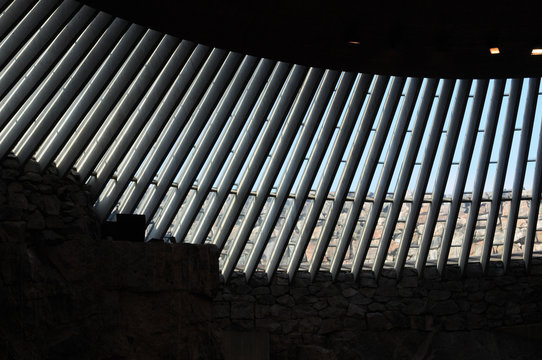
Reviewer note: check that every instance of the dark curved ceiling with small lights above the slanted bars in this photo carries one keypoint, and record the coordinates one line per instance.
(413, 38)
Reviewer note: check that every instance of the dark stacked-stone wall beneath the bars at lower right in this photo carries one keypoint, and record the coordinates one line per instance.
(495, 316)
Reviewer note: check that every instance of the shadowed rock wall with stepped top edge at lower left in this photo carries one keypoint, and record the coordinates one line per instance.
(67, 294)
